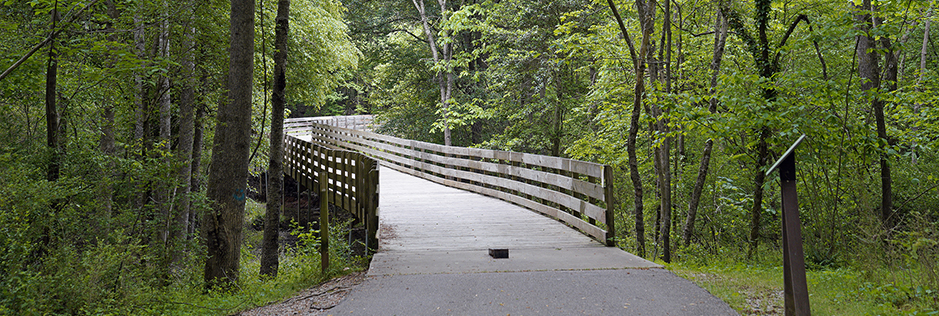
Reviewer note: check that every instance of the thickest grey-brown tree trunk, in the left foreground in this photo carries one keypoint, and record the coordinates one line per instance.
(228, 173)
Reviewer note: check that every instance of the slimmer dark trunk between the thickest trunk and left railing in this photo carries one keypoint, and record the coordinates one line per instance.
(275, 170)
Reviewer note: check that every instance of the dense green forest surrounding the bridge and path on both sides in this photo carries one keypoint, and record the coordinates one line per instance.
(109, 111)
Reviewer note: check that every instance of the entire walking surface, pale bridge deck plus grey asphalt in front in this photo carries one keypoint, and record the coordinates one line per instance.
(433, 260)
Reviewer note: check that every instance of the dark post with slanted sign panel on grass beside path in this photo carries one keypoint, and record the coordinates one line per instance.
(796, 288)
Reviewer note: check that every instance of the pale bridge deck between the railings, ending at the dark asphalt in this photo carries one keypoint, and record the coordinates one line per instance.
(426, 227)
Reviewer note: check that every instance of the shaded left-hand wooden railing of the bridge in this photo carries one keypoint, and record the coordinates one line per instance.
(351, 179)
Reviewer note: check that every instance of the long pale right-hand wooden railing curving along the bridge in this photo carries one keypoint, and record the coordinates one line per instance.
(575, 192)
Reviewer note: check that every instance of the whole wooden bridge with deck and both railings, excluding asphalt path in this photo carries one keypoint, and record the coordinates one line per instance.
(439, 200)
